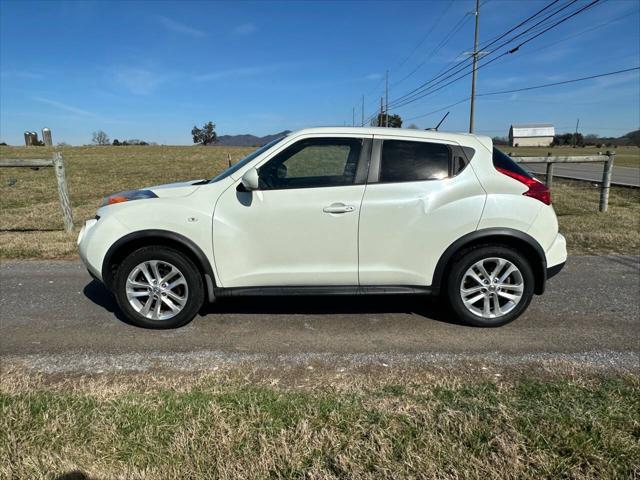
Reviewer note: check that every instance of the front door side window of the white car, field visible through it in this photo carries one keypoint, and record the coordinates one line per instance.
(324, 162)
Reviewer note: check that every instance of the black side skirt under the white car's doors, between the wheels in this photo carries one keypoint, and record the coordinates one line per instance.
(321, 290)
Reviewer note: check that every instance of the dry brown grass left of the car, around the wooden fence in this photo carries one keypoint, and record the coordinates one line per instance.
(30, 219)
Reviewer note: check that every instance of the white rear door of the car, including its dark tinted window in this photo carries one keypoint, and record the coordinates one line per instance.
(420, 198)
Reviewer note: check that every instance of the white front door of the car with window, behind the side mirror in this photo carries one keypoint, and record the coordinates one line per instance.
(300, 228)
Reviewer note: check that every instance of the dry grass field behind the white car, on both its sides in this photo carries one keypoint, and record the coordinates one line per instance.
(30, 220)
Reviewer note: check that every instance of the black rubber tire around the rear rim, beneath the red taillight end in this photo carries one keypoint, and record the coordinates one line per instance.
(468, 258)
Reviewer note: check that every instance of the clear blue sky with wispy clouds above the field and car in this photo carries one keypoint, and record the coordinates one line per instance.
(151, 70)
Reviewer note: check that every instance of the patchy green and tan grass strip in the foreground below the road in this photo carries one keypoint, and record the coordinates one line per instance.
(381, 423)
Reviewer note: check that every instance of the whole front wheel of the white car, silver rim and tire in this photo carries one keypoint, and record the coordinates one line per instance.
(158, 287)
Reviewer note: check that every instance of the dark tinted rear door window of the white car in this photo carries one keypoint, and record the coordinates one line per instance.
(407, 161)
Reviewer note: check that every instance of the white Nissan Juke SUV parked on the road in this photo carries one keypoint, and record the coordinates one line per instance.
(330, 211)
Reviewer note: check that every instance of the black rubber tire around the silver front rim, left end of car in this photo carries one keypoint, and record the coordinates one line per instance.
(192, 276)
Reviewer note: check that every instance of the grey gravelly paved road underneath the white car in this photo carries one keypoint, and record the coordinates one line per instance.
(591, 310)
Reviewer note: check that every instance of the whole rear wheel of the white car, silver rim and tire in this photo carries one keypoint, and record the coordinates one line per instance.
(490, 286)
